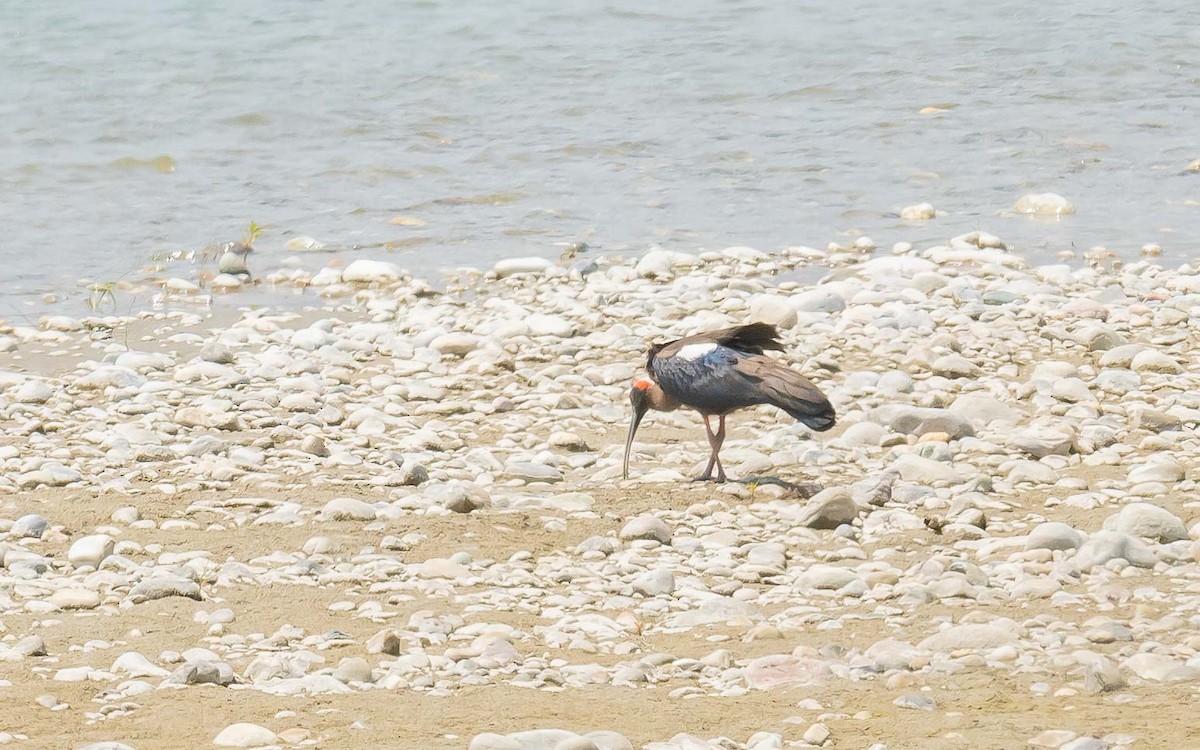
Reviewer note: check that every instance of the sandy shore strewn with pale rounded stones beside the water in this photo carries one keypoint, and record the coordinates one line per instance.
(399, 521)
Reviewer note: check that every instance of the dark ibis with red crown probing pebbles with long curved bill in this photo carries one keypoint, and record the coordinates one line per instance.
(717, 374)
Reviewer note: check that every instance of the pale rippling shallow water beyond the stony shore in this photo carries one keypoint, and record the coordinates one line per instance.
(139, 129)
